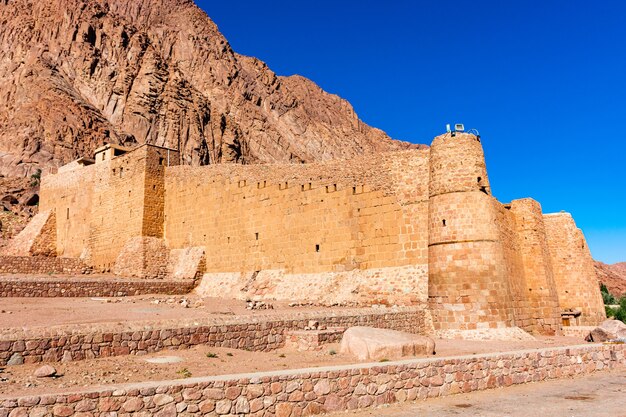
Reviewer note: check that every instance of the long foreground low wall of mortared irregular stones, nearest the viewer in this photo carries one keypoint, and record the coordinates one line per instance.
(293, 393)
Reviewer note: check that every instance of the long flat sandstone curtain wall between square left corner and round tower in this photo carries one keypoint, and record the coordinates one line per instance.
(367, 213)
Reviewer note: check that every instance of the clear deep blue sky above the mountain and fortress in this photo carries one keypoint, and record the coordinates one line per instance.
(543, 81)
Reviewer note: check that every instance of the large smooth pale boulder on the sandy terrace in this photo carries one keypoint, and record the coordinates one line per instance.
(369, 343)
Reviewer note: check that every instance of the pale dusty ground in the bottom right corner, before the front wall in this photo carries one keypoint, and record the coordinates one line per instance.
(599, 395)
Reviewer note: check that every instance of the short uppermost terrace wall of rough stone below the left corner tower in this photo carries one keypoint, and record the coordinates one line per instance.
(42, 265)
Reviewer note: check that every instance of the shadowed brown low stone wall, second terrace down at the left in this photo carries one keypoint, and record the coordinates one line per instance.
(11, 286)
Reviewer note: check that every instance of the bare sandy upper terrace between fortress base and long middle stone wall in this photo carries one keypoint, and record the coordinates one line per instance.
(43, 312)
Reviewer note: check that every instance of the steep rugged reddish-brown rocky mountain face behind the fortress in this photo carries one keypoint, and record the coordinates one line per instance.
(77, 73)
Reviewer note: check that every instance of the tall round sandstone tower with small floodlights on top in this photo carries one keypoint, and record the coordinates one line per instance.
(468, 285)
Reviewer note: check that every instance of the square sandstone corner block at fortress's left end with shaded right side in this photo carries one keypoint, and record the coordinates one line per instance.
(101, 206)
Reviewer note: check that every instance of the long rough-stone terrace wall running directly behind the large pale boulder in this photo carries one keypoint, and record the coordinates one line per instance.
(254, 332)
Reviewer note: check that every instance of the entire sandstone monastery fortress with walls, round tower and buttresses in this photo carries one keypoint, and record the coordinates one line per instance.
(413, 227)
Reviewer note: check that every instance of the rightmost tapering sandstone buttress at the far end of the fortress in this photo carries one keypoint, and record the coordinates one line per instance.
(574, 274)
